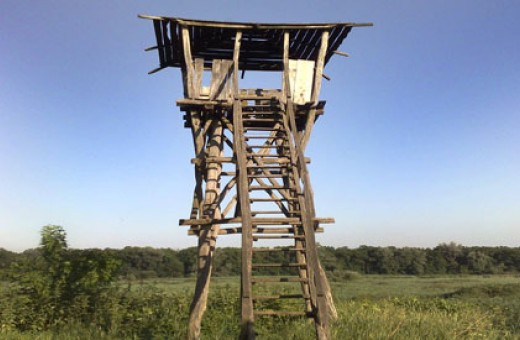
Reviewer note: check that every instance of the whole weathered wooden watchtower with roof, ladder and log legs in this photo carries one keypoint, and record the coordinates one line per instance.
(251, 174)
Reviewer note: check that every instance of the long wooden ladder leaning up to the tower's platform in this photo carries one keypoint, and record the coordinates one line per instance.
(277, 217)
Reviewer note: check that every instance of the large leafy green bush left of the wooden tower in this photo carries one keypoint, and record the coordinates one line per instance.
(54, 285)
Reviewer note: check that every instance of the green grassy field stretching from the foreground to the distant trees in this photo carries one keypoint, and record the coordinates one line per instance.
(369, 307)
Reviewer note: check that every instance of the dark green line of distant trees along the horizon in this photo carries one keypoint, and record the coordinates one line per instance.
(148, 262)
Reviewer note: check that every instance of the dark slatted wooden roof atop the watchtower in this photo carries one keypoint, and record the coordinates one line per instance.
(261, 46)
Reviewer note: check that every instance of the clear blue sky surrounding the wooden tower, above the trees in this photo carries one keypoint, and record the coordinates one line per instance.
(420, 142)
